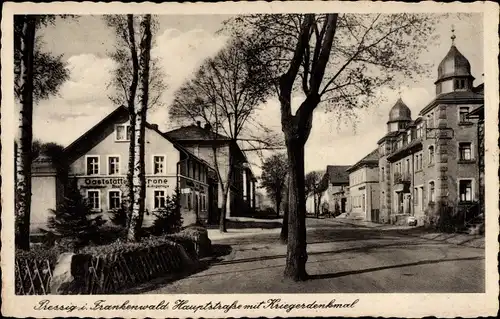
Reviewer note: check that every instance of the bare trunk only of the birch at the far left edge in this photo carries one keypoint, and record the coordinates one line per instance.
(25, 135)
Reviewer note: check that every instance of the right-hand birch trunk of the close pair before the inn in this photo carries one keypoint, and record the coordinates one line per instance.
(139, 178)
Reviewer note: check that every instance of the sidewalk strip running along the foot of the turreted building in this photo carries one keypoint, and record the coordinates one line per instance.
(475, 241)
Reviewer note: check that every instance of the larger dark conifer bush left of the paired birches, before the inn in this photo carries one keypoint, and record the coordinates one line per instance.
(73, 220)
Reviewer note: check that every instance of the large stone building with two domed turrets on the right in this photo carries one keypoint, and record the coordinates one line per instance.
(432, 159)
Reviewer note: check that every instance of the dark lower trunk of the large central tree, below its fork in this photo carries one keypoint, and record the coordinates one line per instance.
(296, 246)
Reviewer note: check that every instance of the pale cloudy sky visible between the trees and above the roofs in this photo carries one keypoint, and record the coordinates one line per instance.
(184, 41)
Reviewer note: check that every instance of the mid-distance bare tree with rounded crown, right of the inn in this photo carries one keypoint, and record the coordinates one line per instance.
(225, 93)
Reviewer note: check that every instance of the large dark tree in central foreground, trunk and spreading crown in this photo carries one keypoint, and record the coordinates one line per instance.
(338, 60)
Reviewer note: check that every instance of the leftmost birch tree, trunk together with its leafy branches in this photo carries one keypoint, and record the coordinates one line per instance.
(38, 75)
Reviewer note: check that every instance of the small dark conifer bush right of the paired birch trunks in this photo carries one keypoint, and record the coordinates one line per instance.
(168, 219)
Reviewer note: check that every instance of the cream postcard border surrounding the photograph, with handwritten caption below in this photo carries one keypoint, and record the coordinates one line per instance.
(399, 305)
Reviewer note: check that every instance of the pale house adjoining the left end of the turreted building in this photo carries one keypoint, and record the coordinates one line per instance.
(364, 190)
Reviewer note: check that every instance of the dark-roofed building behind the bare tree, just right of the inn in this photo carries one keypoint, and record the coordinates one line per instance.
(201, 142)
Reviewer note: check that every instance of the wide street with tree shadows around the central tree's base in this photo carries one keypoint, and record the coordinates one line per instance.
(343, 258)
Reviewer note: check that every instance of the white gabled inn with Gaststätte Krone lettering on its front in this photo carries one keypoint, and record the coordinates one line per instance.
(98, 160)
